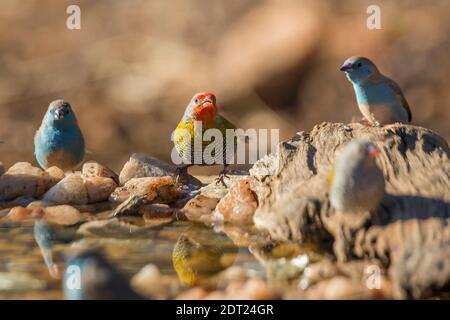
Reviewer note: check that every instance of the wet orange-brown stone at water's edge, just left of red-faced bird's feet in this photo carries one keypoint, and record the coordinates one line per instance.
(156, 189)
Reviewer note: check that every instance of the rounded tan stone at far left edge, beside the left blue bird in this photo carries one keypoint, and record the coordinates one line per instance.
(22, 179)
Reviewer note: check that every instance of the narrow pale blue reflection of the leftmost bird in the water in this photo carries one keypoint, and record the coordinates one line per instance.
(43, 236)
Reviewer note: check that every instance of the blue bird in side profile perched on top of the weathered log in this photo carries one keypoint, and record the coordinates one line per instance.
(379, 98)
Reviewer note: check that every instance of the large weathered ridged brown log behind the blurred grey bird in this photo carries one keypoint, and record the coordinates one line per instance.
(294, 205)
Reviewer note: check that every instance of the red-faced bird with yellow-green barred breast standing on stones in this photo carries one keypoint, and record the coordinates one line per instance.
(202, 110)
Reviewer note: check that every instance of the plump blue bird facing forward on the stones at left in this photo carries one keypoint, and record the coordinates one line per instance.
(59, 141)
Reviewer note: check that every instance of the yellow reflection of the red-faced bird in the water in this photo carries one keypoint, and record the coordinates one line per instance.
(199, 255)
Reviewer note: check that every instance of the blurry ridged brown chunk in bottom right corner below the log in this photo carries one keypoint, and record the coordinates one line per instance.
(418, 251)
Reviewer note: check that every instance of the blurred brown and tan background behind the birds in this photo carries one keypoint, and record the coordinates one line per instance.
(134, 65)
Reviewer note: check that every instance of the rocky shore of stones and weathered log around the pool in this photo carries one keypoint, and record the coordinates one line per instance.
(282, 202)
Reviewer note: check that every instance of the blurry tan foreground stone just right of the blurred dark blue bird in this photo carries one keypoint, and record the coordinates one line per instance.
(152, 284)
